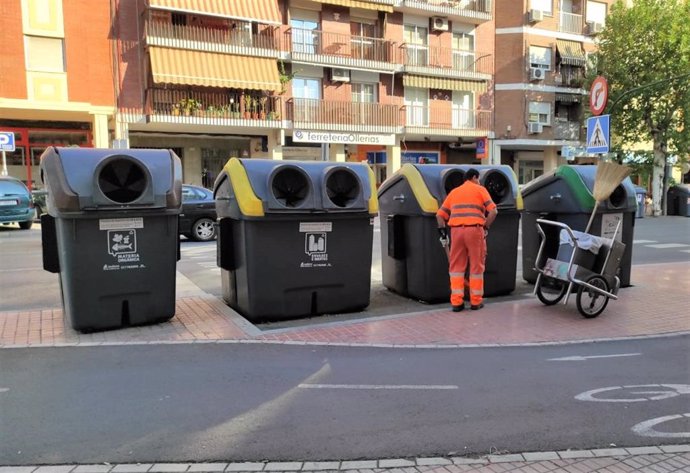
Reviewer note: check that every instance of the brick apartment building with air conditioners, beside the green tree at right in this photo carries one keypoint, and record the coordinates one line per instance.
(543, 50)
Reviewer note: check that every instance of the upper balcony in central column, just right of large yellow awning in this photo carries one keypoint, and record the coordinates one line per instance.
(339, 50)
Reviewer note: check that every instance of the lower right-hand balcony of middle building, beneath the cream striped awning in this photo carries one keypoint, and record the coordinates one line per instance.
(444, 119)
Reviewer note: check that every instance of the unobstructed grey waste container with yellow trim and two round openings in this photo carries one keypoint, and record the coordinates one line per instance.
(295, 238)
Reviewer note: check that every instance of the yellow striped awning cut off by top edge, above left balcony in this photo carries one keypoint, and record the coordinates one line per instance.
(264, 11)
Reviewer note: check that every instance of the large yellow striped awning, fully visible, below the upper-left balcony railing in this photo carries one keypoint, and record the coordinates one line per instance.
(181, 66)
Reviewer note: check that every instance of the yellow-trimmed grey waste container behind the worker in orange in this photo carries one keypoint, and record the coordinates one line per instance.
(413, 262)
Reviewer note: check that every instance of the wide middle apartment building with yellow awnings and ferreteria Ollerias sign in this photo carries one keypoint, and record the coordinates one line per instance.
(383, 81)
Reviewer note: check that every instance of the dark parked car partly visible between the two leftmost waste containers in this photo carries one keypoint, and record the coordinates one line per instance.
(198, 213)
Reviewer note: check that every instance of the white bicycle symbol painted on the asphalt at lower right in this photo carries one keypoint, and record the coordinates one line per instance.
(644, 392)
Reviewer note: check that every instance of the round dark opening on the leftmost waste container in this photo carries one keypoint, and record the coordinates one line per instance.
(122, 180)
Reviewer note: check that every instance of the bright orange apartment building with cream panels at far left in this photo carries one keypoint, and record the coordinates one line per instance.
(56, 81)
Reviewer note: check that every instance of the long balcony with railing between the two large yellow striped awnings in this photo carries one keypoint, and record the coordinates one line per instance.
(231, 41)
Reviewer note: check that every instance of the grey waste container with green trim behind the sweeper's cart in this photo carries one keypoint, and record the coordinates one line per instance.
(565, 195)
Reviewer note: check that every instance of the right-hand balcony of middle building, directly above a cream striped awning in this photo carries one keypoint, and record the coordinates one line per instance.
(447, 62)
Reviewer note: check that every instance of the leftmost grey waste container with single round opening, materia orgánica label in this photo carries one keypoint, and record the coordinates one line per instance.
(111, 233)
